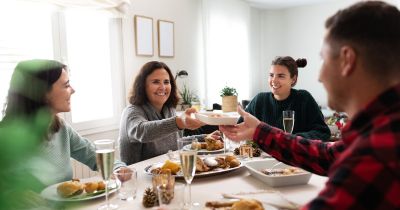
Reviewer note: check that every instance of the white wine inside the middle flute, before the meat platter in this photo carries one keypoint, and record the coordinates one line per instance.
(188, 162)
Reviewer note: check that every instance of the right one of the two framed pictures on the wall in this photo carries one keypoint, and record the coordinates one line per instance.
(165, 38)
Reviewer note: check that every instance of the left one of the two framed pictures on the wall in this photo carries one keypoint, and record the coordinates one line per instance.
(144, 35)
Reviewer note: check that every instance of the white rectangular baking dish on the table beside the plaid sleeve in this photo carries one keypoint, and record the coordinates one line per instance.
(255, 168)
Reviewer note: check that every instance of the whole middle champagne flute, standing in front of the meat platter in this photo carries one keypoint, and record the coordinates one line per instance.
(188, 158)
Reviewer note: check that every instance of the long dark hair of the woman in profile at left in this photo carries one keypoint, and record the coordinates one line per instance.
(30, 82)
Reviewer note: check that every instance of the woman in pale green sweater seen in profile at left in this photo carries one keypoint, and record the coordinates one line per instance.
(42, 86)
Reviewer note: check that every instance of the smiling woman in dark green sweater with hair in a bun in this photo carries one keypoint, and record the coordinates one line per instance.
(269, 106)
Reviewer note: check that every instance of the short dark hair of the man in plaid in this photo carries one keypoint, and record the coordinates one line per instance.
(372, 28)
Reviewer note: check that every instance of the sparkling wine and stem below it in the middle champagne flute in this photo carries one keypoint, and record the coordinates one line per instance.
(188, 163)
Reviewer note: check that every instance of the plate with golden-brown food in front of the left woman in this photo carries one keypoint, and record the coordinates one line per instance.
(76, 190)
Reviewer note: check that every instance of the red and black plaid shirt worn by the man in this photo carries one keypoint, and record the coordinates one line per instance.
(361, 177)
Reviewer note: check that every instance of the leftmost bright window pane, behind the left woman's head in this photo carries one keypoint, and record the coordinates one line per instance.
(22, 37)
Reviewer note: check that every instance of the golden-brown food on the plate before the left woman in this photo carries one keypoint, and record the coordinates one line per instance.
(75, 187)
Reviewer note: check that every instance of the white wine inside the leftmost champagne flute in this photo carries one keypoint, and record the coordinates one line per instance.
(105, 162)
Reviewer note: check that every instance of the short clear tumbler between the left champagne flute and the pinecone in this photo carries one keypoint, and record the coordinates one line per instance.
(127, 179)
